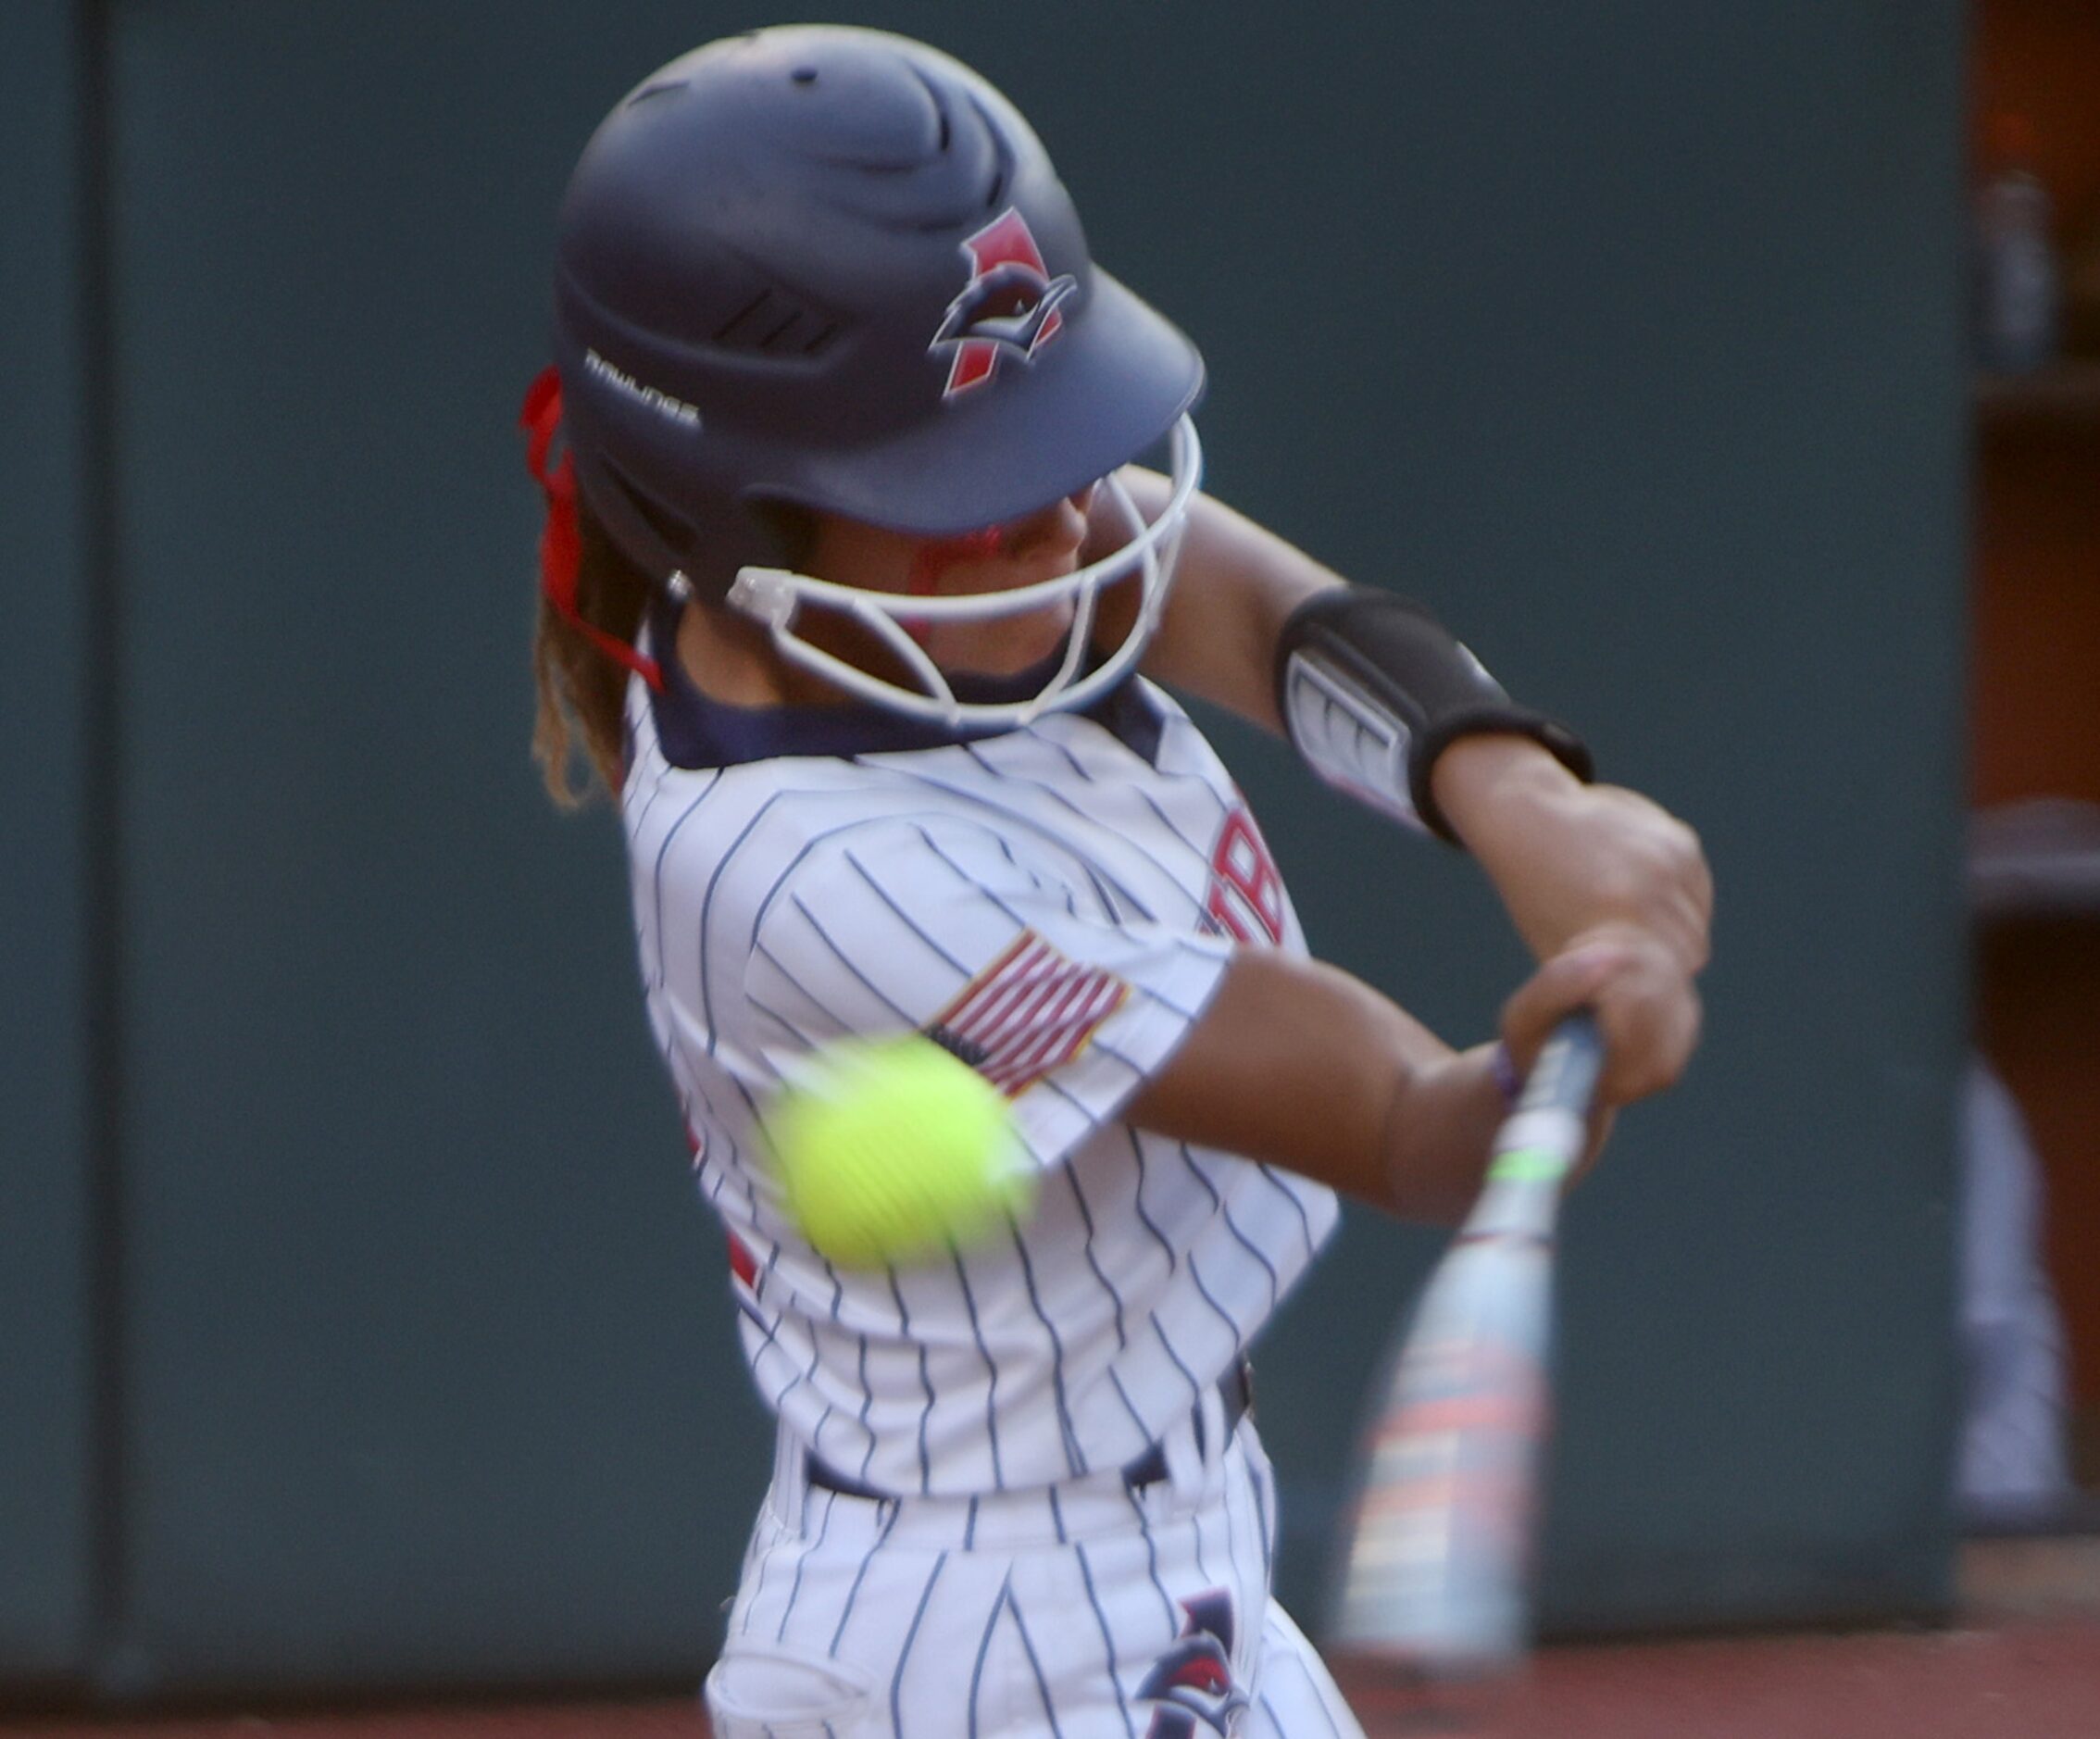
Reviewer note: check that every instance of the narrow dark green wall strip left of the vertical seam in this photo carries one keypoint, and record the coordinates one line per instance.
(45, 868)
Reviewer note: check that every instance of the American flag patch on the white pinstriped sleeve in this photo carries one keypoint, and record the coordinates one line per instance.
(1028, 1013)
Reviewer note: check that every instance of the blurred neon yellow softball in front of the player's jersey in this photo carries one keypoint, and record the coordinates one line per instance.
(896, 1150)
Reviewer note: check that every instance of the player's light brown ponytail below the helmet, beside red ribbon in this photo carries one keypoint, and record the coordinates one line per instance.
(583, 692)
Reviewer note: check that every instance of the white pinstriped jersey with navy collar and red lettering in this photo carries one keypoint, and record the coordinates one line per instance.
(1057, 904)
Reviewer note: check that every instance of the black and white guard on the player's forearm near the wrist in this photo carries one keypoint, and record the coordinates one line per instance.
(1372, 690)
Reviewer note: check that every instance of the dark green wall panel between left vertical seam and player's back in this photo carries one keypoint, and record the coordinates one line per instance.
(429, 1366)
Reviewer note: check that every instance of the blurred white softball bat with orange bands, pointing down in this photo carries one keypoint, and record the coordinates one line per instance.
(1435, 1570)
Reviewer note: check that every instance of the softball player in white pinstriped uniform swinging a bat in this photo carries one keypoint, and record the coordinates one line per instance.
(849, 587)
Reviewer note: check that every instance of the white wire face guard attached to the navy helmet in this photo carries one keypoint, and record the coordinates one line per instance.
(776, 598)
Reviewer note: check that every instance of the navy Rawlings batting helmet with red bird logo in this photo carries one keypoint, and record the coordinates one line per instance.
(835, 270)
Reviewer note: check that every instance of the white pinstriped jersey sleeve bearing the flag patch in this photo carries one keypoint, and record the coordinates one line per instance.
(1047, 984)
